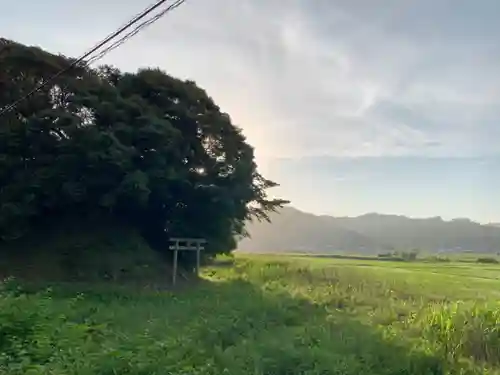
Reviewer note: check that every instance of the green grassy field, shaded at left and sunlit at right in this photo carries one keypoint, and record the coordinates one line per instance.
(266, 315)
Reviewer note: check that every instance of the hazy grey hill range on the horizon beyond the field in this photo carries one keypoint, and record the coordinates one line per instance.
(293, 230)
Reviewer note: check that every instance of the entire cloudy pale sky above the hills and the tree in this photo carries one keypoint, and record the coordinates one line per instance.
(389, 106)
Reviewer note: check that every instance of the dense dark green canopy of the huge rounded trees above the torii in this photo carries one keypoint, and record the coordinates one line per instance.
(144, 147)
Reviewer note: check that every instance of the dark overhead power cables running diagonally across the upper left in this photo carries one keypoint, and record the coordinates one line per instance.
(102, 43)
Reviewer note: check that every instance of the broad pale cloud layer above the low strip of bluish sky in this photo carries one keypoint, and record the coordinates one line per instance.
(309, 78)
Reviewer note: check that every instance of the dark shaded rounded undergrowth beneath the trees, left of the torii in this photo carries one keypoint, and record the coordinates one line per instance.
(82, 250)
